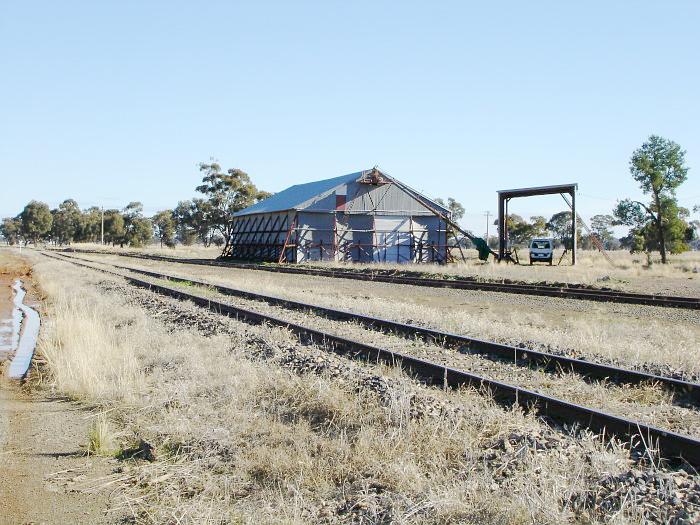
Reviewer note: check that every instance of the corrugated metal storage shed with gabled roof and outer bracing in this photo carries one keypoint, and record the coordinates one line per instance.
(367, 216)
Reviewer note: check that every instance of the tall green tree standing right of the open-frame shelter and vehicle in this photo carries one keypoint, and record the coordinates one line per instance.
(659, 168)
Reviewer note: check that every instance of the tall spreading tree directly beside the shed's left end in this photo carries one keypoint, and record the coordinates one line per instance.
(226, 193)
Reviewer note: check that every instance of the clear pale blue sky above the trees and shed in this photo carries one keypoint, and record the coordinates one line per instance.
(112, 102)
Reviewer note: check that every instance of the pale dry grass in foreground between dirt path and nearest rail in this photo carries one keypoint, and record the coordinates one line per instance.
(244, 440)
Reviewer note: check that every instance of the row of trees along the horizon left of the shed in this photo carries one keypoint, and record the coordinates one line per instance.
(207, 219)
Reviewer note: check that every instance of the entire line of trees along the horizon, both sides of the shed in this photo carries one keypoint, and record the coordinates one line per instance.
(660, 224)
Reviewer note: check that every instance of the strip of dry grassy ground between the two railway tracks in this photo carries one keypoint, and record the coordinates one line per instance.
(615, 333)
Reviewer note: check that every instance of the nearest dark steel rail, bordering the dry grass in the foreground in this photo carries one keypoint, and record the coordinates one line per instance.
(642, 437)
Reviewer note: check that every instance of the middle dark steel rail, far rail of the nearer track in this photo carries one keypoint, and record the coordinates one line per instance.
(516, 355)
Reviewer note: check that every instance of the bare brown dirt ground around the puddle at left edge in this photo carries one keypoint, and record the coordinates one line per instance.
(46, 477)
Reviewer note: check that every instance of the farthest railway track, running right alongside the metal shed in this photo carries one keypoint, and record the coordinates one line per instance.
(587, 294)
